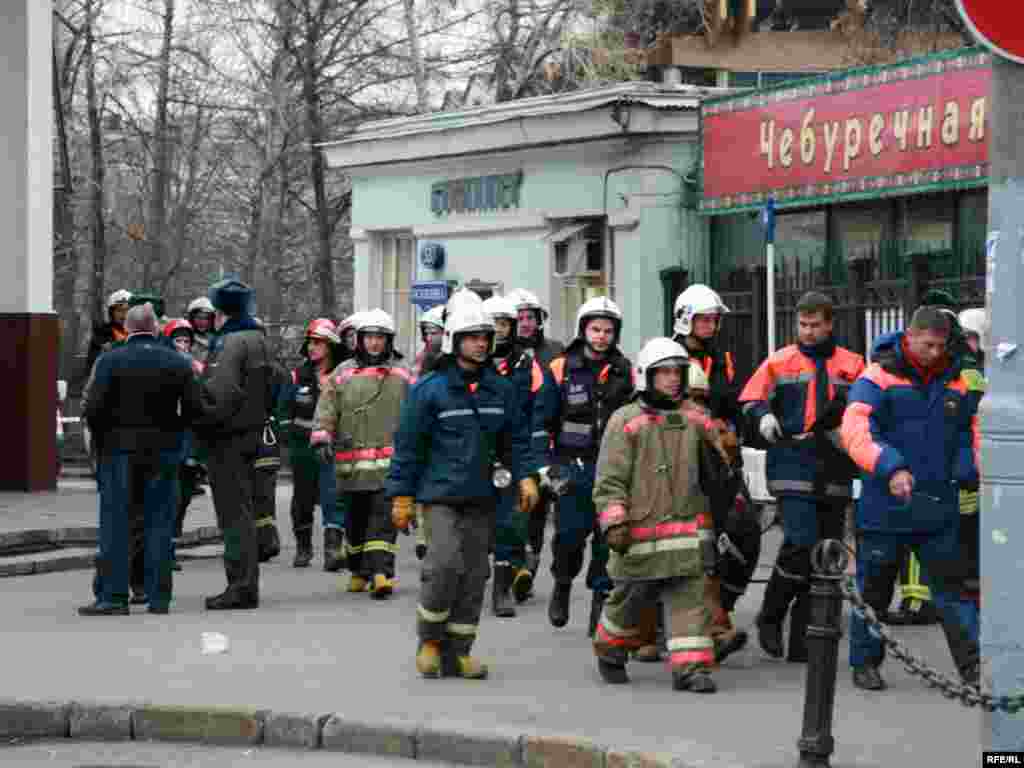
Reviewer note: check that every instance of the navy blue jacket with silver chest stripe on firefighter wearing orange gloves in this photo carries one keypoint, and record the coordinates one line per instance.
(452, 434)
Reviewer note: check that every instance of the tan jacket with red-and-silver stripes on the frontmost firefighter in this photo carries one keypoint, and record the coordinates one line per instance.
(649, 478)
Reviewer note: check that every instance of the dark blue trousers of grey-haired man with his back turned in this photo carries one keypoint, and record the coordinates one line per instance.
(154, 477)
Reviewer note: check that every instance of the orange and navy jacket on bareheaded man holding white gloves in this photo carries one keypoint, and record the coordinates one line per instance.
(790, 385)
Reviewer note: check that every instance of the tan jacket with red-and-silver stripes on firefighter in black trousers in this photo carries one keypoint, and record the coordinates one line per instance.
(359, 411)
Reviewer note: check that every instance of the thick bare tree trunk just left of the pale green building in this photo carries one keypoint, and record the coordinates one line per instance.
(324, 267)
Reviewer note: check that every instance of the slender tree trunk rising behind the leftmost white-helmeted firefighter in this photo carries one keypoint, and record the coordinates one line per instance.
(97, 173)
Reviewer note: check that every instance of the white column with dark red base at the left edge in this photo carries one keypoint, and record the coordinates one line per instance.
(29, 329)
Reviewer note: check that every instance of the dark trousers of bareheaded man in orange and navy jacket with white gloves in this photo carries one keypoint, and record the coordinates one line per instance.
(806, 521)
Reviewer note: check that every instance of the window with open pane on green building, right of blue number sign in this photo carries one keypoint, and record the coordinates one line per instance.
(582, 269)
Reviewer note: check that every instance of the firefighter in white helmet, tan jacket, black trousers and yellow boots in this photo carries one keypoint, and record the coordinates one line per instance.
(354, 426)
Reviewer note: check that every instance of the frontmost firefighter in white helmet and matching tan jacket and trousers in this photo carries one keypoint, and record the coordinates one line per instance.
(655, 513)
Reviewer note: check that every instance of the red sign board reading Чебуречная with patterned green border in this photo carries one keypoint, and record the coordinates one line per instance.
(912, 127)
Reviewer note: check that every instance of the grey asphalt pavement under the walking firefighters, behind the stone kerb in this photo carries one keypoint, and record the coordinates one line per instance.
(313, 649)
